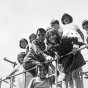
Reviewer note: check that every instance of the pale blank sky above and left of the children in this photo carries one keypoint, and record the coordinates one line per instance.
(20, 18)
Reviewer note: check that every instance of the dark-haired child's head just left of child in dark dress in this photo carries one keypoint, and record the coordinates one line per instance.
(41, 34)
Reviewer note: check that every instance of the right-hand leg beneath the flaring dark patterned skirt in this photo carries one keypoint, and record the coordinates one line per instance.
(75, 78)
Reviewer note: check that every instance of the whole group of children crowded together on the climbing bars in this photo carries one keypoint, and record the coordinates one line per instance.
(55, 42)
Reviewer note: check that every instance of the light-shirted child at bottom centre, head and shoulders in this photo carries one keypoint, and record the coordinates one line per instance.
(42, 81)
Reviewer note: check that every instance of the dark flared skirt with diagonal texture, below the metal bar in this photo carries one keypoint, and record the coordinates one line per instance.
(72, 62)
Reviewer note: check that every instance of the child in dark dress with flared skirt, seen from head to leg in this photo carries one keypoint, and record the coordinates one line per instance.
(64, 45)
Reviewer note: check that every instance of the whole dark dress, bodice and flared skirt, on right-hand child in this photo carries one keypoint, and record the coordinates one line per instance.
(70, 62)
